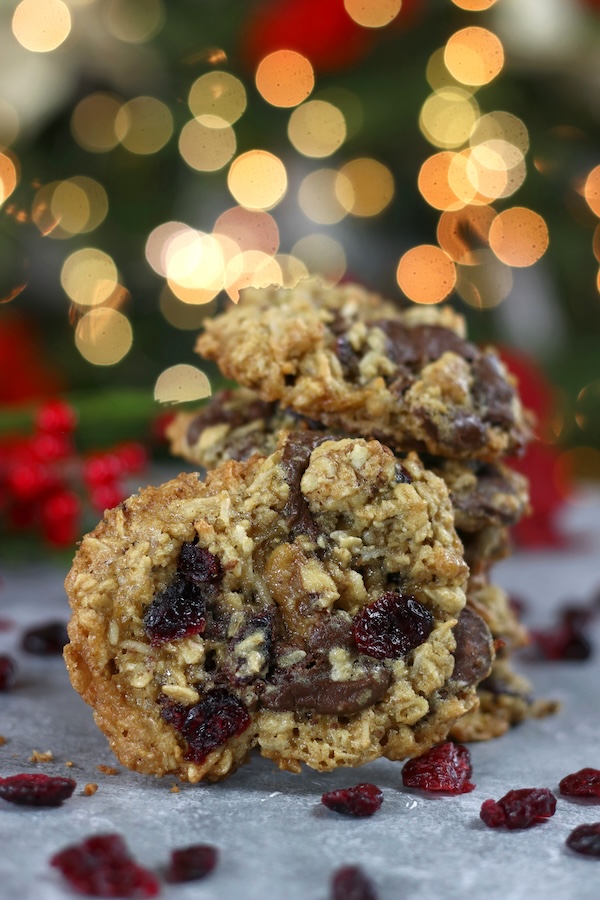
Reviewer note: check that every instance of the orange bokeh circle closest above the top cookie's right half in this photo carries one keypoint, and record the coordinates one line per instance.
(426, 274)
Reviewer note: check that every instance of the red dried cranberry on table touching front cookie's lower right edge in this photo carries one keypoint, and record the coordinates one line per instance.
(446, 767)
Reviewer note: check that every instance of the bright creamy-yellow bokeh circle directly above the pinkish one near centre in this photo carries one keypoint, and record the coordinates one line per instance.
(257, 179)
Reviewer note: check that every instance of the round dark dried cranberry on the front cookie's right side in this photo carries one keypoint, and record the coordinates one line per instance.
(391, 626)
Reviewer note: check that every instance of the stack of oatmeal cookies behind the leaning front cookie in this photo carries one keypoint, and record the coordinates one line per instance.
(317, 359)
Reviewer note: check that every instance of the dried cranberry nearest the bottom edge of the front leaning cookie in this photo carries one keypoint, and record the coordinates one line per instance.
(209, 724)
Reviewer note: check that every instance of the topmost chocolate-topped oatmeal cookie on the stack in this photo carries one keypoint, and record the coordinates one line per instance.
(356, 362)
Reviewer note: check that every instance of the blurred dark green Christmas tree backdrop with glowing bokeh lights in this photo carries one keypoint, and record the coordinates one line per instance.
(157, 158)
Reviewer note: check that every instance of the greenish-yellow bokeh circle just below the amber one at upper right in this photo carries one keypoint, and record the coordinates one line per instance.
(448, 116)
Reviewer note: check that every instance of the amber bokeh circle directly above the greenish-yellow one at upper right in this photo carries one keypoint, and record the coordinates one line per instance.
(474, 56)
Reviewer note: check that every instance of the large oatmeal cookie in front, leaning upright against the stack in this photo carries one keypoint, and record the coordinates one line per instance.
(310, 603)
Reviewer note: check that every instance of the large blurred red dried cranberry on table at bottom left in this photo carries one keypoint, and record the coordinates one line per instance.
(102, 867)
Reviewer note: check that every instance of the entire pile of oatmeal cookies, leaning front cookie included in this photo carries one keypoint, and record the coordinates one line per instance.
(322, 593)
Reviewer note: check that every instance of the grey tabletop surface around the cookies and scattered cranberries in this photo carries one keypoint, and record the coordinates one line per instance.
(276, 838)
